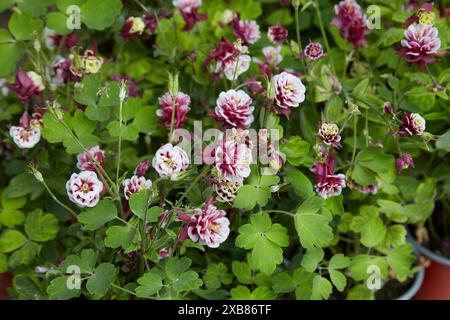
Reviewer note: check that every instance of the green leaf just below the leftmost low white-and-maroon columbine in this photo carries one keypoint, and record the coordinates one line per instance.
(96, 217)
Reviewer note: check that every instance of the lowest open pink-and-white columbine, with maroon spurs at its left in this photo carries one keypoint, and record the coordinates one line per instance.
(207, 226)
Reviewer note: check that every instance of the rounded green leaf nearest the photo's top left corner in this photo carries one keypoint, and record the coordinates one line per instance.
(23, 26)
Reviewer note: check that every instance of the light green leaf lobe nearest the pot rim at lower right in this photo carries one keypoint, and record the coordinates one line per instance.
(401, 261)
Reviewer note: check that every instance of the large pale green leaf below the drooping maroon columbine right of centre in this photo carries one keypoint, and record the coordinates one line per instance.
(312, 228)
